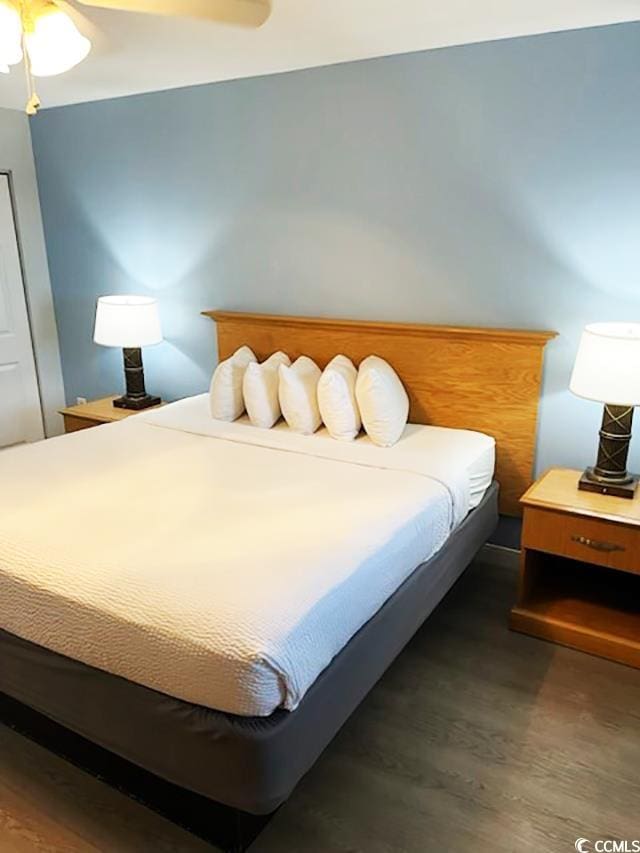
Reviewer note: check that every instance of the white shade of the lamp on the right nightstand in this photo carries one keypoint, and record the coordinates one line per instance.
(607, 367)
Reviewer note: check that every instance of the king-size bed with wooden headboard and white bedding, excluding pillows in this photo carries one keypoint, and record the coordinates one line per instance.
(232, 689)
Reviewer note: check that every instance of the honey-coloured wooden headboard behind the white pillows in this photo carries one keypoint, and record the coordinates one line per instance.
(468, 378)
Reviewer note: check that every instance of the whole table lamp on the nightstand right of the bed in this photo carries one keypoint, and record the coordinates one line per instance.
(607, 369)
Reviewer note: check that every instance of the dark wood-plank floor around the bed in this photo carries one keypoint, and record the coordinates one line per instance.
(477, 739)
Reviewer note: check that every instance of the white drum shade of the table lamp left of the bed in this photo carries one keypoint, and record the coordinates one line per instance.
(127, 322)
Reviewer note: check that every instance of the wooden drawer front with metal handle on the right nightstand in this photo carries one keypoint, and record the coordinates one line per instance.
(588, 539)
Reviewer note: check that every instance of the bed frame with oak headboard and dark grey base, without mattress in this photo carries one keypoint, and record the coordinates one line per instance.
(237, 767)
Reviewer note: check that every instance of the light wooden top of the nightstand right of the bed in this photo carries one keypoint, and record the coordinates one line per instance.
(558, 490)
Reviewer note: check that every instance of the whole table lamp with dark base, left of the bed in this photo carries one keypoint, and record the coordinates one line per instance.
(130, 322)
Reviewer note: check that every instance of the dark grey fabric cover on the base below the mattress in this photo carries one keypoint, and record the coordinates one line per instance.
(248, 763)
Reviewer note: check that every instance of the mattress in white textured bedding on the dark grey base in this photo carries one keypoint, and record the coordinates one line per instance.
(219, 564)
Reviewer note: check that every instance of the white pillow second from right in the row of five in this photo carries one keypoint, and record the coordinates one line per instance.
(337, 399)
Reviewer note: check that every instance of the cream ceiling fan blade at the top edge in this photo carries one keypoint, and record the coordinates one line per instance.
(243, 13)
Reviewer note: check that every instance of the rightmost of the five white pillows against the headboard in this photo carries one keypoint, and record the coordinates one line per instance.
(383, 402)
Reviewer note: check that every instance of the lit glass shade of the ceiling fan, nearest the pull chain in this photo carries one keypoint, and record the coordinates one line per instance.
(54, 43)
